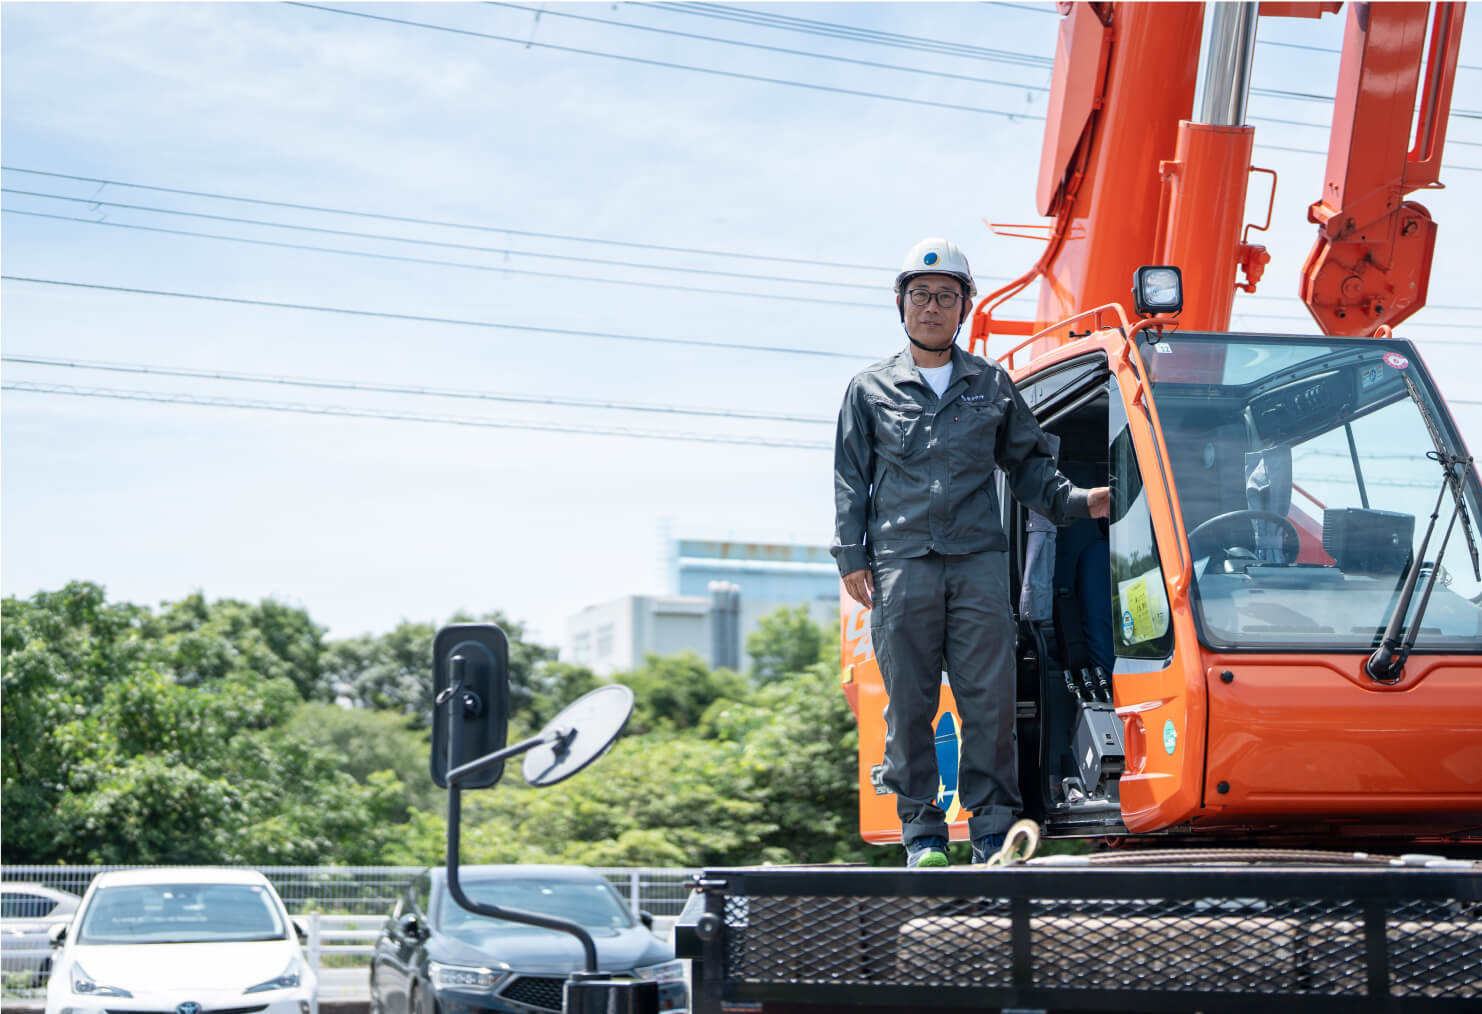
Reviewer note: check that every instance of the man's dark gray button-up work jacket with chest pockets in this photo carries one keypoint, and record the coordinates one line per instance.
(914, 474)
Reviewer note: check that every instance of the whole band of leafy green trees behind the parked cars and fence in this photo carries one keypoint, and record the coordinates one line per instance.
(235, 733)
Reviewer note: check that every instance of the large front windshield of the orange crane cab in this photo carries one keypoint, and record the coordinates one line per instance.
(1306, 488)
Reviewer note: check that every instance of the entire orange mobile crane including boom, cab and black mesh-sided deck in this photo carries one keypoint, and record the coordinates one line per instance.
(1269, 646)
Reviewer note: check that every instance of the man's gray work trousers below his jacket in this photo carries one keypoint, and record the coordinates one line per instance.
(930, 610)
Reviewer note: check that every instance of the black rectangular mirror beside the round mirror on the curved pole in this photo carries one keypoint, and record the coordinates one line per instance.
(471, 687)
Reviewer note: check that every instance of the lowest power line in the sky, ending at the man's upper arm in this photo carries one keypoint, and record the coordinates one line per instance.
(404, 417)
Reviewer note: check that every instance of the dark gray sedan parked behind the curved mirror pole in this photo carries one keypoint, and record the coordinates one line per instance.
(436, 958)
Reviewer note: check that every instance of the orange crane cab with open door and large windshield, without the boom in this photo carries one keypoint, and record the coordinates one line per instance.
(1197, 665)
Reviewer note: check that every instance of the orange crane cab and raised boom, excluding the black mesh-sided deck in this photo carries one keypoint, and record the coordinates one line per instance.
(1268, 539)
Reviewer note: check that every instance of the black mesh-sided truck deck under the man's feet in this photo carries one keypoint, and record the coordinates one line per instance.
(1078, 938)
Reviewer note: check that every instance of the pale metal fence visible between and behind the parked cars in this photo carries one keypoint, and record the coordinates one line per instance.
(343, 907)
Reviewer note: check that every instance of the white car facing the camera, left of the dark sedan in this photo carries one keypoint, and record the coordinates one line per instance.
(182, 941)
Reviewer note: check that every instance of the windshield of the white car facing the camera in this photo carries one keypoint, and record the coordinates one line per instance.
(180, 914)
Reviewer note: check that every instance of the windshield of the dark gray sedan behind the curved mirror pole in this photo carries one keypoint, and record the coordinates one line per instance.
(589, 904)
